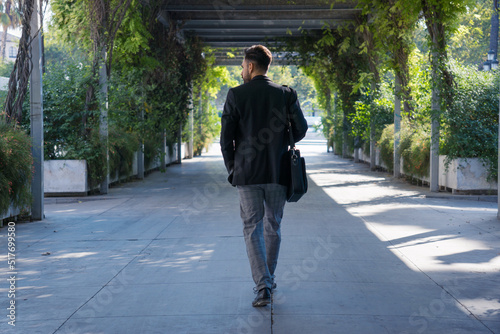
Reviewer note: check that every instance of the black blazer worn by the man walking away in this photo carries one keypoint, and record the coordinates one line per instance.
(254, 133)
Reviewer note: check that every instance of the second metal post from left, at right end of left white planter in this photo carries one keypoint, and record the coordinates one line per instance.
(103, 118)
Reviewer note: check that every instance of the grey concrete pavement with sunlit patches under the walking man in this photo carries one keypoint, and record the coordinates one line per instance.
(361, 253)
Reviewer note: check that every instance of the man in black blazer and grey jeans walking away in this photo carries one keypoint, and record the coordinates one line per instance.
(253, 140)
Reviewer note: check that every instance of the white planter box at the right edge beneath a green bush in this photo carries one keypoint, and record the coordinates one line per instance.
(465, 175)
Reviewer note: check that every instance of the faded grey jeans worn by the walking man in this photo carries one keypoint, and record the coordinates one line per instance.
(261, 208)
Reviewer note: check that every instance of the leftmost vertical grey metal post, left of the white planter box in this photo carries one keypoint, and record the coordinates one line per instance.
(36, 113)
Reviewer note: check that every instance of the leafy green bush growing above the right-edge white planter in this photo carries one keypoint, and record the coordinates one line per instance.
(470, 125)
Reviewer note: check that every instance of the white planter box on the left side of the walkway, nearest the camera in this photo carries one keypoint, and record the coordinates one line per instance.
(65, 177)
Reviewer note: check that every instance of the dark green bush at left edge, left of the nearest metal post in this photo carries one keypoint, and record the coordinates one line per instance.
(15, 168)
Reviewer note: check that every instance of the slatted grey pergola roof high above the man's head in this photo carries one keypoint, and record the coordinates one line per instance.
(233, 25)
